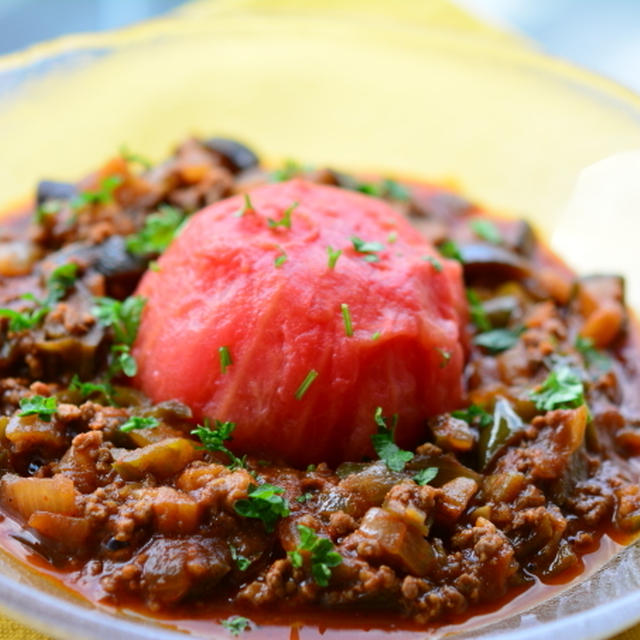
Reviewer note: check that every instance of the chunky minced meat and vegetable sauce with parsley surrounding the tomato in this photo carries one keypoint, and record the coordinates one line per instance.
(513, 487)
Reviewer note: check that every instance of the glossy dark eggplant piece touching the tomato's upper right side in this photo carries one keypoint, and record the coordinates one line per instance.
(493, 263)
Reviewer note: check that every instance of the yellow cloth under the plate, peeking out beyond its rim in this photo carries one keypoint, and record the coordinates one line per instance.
(436, 14)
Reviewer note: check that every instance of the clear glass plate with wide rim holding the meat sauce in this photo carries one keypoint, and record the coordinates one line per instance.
(404, 88)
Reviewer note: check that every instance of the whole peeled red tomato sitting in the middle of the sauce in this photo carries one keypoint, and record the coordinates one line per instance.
(218, 285)
